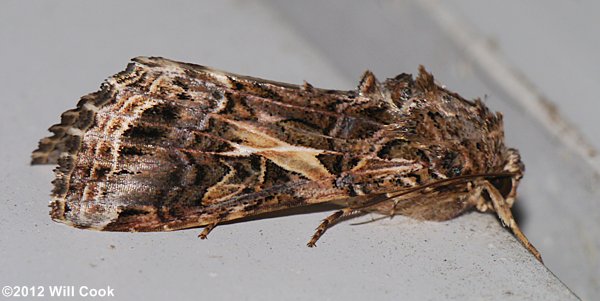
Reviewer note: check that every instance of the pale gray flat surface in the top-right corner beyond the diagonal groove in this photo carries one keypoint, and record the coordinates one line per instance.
(554, 44)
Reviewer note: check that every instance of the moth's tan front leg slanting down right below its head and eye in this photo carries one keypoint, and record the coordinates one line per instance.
(503, 210)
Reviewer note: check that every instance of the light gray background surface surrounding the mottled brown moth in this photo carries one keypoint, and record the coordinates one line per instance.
(54, 52)
